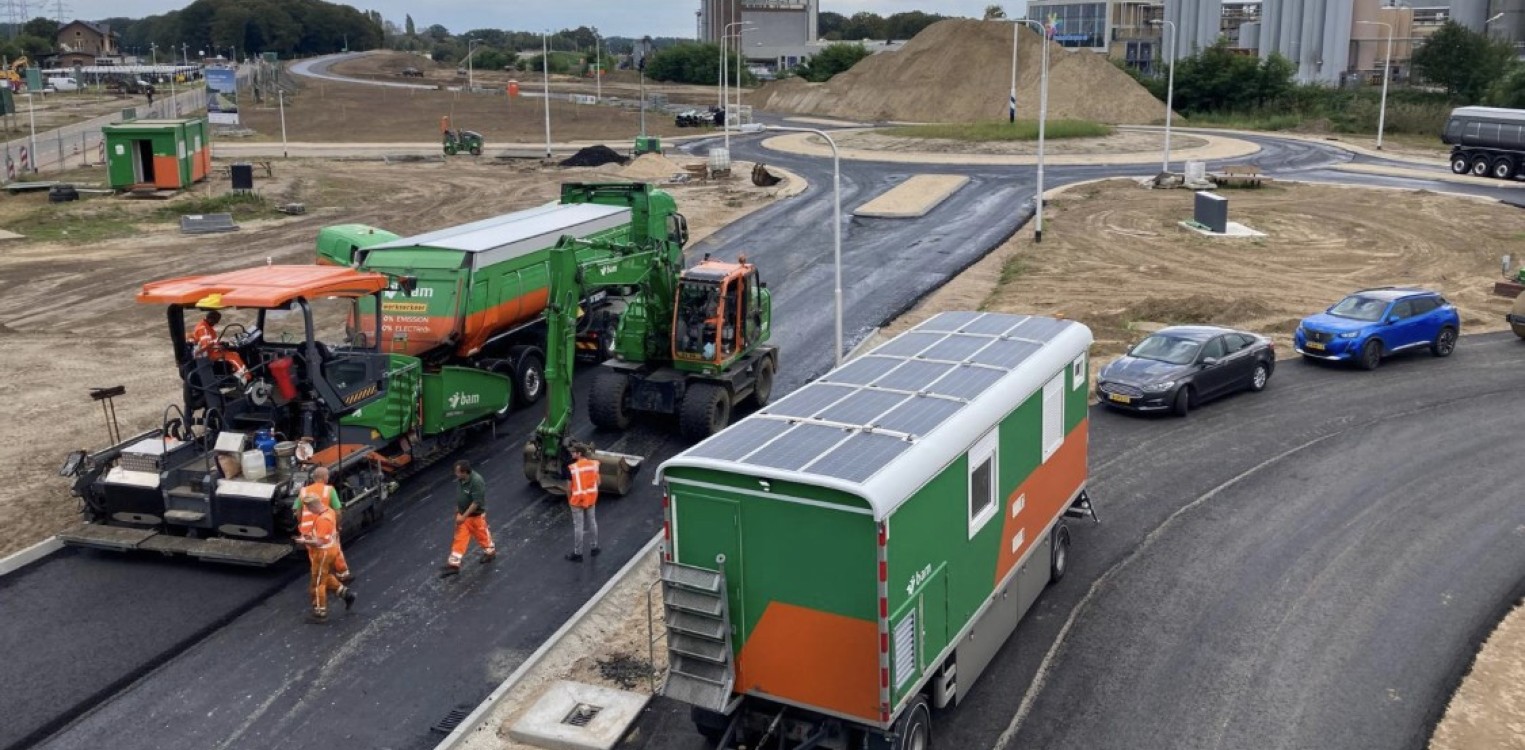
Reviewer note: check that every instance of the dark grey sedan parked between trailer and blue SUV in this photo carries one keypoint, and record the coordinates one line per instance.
(1184, 367)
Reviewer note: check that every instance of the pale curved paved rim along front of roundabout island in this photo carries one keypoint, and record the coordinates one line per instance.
(1218, 149)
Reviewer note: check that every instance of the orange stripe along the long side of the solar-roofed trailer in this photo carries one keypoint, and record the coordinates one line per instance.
(1044, 496)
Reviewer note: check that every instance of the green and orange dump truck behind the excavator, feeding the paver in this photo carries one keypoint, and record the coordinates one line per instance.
(475, 295)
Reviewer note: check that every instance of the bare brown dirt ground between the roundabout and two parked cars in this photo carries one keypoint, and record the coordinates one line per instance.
(1114, 258)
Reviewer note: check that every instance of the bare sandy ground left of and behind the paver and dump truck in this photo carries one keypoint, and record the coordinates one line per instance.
(68, 321)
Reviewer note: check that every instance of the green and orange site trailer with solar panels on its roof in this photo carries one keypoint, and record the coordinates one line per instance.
(859, 551)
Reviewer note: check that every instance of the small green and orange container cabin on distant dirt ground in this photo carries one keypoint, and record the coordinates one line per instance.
(170, 155)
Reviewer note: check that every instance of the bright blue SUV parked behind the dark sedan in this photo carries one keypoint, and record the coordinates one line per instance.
(1373, 324)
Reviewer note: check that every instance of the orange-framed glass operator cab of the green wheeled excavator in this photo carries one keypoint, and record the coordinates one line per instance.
(721, 315)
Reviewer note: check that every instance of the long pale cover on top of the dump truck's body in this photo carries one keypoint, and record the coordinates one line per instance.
(512, 236)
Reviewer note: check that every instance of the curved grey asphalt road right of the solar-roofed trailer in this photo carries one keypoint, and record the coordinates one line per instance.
(1312, 566)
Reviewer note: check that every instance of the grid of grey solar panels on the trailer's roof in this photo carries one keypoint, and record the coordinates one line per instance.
(856, 420)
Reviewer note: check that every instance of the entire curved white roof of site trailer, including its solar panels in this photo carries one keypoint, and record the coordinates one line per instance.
(884, 425)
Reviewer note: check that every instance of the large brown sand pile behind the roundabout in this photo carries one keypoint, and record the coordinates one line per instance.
(958, 71)
